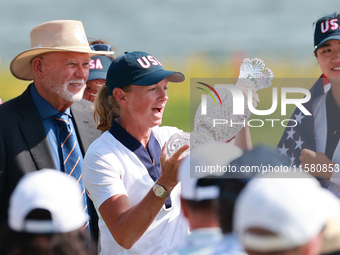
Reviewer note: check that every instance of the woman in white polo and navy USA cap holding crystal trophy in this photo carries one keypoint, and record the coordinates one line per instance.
(126, 172)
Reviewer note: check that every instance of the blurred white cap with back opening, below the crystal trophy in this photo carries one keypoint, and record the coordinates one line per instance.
(211, 154)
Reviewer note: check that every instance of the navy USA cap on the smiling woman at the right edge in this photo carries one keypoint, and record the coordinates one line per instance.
(326, 28)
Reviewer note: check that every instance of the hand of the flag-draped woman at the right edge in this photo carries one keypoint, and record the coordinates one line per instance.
(314, 160)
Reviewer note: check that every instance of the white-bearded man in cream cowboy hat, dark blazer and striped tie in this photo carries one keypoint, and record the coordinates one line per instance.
(58, 64)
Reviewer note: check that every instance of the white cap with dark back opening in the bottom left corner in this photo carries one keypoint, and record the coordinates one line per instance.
(50, 190)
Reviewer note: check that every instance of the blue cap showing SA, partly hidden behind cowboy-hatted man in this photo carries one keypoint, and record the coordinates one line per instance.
(98, 67)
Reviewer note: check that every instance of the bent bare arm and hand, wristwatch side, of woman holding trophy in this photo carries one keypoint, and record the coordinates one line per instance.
(127, 224)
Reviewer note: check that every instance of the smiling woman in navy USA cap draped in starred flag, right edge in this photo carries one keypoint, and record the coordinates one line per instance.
(314, 142)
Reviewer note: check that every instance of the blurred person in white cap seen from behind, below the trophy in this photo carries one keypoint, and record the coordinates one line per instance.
(199, 194)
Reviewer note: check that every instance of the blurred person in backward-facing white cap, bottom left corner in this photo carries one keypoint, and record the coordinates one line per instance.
(42, 221)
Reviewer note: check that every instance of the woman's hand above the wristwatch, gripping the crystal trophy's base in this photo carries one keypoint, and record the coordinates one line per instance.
(169, 167)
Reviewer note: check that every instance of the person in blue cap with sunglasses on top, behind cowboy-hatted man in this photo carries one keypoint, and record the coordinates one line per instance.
(99, 65)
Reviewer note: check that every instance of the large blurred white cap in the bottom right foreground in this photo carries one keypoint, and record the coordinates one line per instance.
(295, 210)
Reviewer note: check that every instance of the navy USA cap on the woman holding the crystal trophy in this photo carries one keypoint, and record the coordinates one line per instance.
(138, 68)
